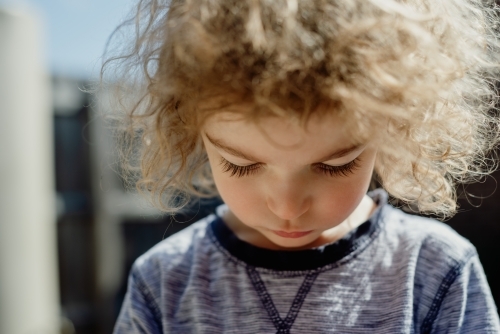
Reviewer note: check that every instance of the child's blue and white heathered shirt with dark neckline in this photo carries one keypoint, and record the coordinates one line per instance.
(395, 273)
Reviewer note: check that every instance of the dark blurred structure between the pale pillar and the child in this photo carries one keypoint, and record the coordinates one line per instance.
(102, 227)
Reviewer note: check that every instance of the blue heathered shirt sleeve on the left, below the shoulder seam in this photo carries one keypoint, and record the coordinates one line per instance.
(140, 313)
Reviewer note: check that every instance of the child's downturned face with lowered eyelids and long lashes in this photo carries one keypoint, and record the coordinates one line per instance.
(291, 187)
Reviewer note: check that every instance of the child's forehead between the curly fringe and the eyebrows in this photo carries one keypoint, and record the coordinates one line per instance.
(278, 137)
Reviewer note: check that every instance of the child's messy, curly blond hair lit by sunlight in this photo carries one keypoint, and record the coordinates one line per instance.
(416, 76)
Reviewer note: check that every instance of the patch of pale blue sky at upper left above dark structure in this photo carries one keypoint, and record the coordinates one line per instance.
(76, 31)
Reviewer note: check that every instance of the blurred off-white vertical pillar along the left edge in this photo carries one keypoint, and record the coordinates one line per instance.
(29, 300)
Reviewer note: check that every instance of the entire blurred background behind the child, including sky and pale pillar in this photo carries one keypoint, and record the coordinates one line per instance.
(68, 230)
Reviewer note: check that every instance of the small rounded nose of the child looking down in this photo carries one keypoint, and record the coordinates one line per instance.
(287, 201)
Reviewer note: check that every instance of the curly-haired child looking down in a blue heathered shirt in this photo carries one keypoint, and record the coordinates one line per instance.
(286, 110)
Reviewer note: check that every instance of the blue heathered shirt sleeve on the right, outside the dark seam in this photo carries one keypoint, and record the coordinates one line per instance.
(464, 303)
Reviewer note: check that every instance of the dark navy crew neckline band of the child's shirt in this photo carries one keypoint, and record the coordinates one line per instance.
(307, 259)
